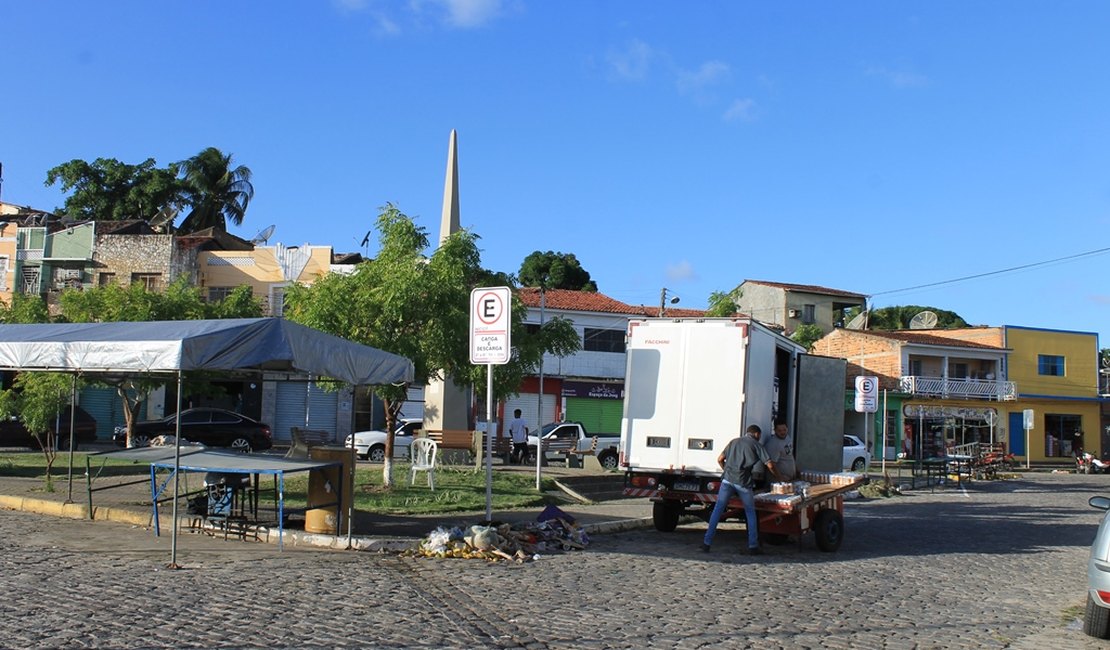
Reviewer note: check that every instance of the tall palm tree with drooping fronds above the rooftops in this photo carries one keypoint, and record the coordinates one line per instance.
(216, 191)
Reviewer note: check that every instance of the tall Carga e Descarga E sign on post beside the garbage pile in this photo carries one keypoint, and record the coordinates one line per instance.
(490, 344)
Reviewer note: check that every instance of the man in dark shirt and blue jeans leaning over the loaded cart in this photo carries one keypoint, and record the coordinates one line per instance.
(739, 460)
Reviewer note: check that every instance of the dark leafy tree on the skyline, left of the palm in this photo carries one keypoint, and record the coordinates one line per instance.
(109, 190)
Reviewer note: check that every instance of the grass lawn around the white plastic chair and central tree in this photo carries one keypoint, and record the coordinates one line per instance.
(457, 491)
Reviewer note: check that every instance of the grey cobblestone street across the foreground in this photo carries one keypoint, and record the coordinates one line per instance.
(1000, 565)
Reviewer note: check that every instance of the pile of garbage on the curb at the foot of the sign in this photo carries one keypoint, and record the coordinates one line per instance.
(553, 532)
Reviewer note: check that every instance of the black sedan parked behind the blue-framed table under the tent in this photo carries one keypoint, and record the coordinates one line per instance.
(215, 428)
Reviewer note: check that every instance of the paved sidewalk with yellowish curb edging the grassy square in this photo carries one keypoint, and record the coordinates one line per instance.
(370, 531)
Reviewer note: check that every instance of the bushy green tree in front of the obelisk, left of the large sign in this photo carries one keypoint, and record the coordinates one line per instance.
(406, 303)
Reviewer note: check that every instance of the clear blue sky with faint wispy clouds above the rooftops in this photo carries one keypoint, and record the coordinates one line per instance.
(869, 147)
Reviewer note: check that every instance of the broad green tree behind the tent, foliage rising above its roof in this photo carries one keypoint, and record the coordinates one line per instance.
(179, 302)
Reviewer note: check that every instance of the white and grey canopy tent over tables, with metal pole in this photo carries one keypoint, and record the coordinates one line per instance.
(174, 348)
